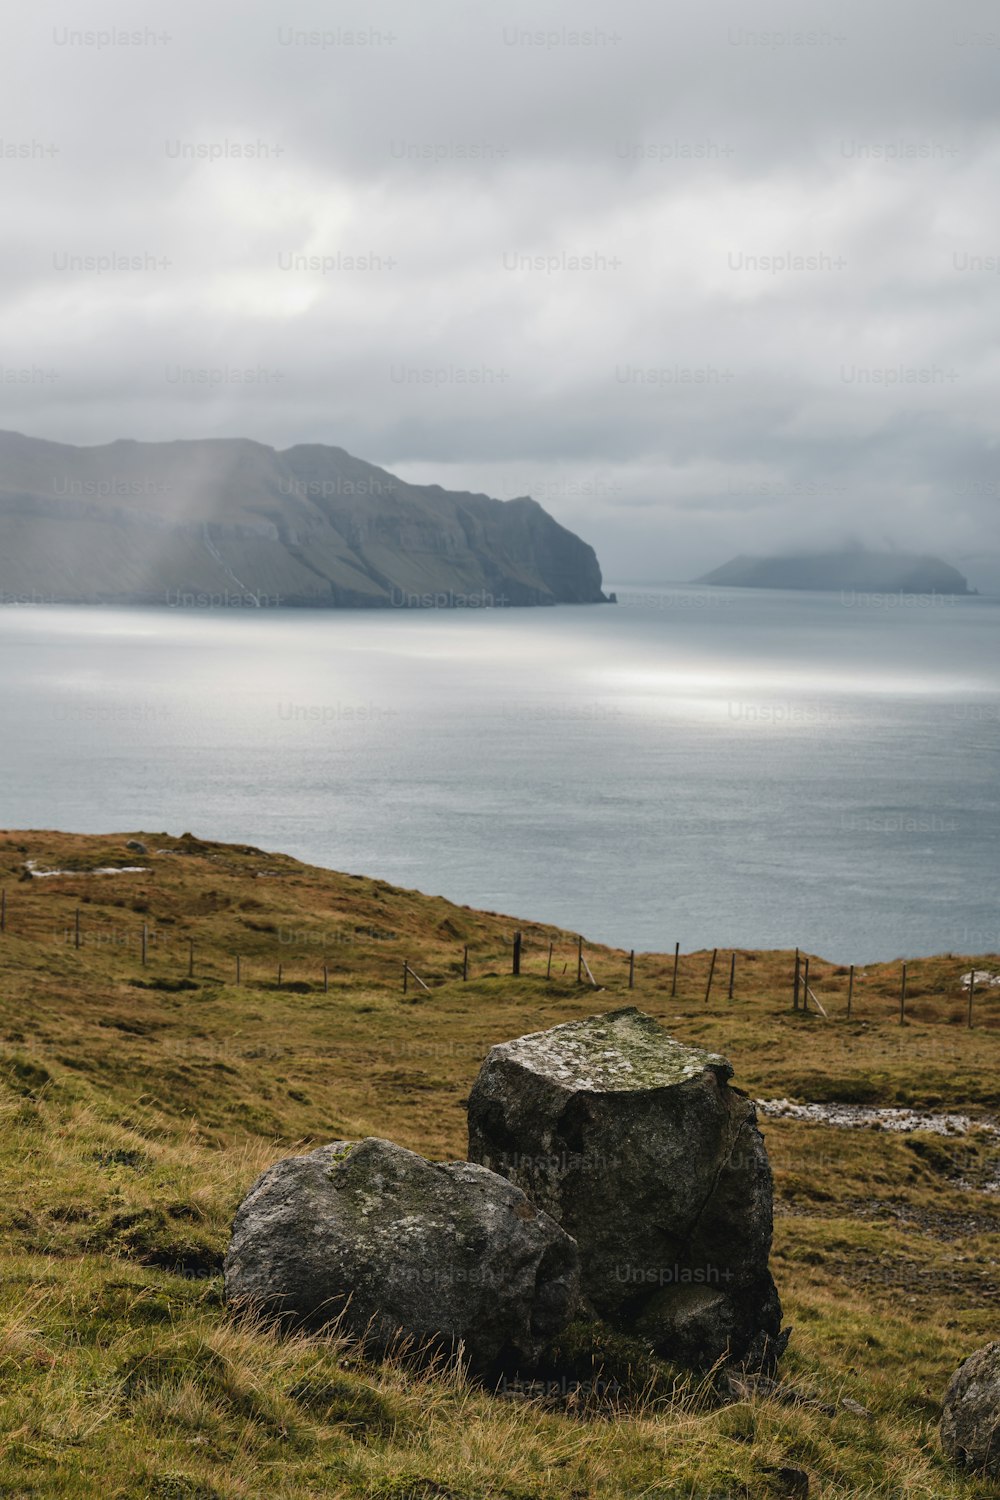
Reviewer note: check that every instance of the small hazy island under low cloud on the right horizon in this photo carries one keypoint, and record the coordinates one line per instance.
(852, 569)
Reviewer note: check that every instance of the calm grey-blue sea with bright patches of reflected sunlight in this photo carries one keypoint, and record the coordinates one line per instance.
(716, 767)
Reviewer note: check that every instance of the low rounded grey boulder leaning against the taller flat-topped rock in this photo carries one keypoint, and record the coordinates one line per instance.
(392, 1244)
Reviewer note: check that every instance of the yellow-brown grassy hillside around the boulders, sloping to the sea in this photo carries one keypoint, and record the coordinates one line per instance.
(139, 1102)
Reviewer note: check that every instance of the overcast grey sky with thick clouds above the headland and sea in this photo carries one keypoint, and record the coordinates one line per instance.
(702, 278)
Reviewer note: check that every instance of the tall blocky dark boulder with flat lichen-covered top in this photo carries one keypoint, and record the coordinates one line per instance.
(639, 1148)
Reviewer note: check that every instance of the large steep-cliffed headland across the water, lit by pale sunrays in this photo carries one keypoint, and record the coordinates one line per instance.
(233, 521)
